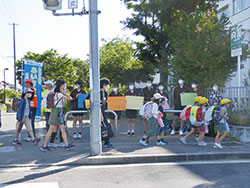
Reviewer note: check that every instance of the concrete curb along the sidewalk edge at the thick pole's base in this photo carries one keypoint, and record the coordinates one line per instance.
(164, 158)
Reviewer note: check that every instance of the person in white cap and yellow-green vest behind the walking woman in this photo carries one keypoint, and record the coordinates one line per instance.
(48, 89)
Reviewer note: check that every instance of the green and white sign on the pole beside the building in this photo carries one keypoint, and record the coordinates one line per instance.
(236, 42)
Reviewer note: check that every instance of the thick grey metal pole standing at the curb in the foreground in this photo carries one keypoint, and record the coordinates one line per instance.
(94, 71)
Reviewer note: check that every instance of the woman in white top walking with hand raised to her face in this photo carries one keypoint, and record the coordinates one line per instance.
(56, 119)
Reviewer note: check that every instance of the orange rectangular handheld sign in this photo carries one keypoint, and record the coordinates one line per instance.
(117, 103)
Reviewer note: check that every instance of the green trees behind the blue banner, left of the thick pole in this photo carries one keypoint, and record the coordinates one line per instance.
(57, 66)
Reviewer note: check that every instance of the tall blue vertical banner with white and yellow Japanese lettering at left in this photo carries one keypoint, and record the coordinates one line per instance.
(33, 70)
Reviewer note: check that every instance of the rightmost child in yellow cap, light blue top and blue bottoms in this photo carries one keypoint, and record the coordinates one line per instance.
(221, 126)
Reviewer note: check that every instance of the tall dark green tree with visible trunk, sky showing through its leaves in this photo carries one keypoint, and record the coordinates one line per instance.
(150, 19)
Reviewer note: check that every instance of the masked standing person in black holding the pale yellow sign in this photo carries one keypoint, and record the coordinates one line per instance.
(131, 114)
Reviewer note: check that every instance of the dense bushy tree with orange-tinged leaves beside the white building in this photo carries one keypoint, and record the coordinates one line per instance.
(201, 46)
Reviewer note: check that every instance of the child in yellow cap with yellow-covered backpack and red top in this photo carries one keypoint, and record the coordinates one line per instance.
(196, 119)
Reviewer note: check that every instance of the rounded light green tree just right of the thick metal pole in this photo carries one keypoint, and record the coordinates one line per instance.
(119, 63)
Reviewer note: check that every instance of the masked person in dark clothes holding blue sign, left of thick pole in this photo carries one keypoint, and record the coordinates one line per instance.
(74, 106)
